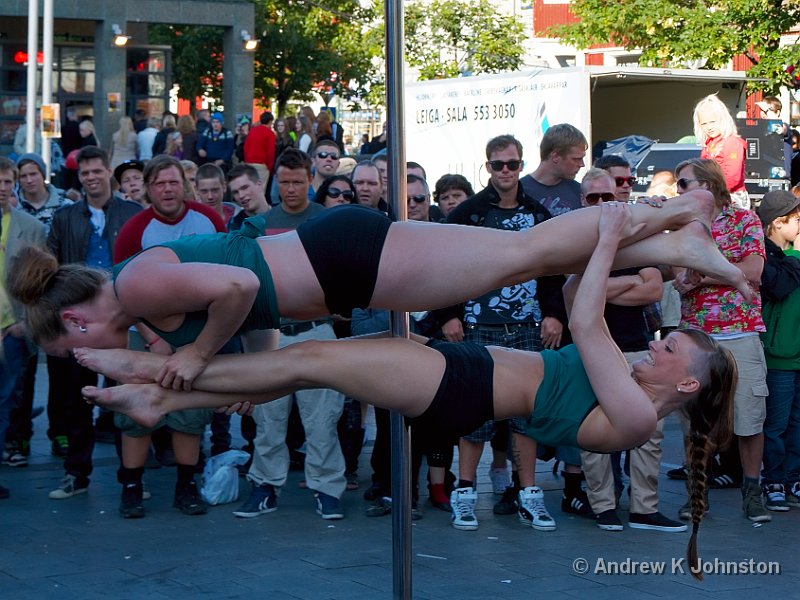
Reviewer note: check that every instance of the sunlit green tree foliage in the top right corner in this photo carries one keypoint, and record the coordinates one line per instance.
(670, 33)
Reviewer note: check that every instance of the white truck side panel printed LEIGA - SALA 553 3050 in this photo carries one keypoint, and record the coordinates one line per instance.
(449, 122)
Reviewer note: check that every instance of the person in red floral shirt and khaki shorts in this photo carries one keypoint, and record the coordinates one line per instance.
(722, 312)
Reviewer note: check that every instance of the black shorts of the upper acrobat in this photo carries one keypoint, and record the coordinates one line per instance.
(344, 247)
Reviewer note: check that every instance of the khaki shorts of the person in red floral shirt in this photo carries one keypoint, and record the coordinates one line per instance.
(749, 404)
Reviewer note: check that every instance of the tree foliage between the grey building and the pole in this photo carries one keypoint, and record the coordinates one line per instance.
(311, 45)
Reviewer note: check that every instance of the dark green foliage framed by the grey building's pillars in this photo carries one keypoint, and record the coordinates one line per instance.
(196, 58)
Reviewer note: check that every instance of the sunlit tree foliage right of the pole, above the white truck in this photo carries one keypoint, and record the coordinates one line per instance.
(448, 38)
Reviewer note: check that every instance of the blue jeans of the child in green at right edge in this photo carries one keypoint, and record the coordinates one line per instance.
(782, 428)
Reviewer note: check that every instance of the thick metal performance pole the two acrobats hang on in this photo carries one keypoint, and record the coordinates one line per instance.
(401, 441)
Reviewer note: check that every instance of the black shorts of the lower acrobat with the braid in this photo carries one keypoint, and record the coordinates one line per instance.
(465, 398)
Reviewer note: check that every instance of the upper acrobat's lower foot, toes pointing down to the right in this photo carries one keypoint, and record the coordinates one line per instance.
(703, 255)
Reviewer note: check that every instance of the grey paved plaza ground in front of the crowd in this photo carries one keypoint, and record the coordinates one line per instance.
(80, 548)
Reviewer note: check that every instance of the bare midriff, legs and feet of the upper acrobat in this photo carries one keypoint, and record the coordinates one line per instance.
(477, 259)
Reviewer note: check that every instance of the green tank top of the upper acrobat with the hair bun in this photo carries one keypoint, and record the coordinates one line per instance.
(222, 248)
